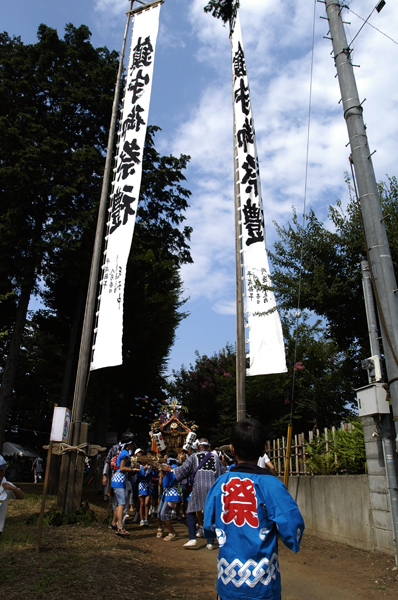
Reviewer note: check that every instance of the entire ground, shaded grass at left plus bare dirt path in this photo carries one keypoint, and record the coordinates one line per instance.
(92, 563)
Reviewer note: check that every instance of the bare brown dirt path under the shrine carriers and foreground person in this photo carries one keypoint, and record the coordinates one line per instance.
(320, 571)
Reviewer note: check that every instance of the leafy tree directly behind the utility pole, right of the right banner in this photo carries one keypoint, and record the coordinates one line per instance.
(331, 273)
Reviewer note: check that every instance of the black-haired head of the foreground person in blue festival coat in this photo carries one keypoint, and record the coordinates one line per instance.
(248, 439)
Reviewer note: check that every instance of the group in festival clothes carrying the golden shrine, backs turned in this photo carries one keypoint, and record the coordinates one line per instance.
(141, 488)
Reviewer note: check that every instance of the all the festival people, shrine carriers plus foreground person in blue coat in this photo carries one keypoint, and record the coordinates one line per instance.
(233, 499)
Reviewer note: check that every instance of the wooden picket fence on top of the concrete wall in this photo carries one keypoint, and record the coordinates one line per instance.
(298, 455)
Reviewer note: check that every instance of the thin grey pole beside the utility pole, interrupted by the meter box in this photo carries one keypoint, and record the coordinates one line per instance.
(386, 439)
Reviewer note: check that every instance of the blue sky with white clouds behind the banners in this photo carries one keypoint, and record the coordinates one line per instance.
(191, 102)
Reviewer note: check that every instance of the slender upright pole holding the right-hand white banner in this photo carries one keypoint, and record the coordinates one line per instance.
(240, 317)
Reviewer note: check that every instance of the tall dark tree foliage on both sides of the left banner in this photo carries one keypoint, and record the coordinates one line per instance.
(54, 127)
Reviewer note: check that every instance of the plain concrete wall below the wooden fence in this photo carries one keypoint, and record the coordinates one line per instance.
(335, 507)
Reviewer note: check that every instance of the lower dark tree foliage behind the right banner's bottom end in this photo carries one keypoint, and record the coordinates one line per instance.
(323, 395)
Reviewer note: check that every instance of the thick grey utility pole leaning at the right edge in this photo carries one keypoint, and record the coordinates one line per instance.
(376, 236)
